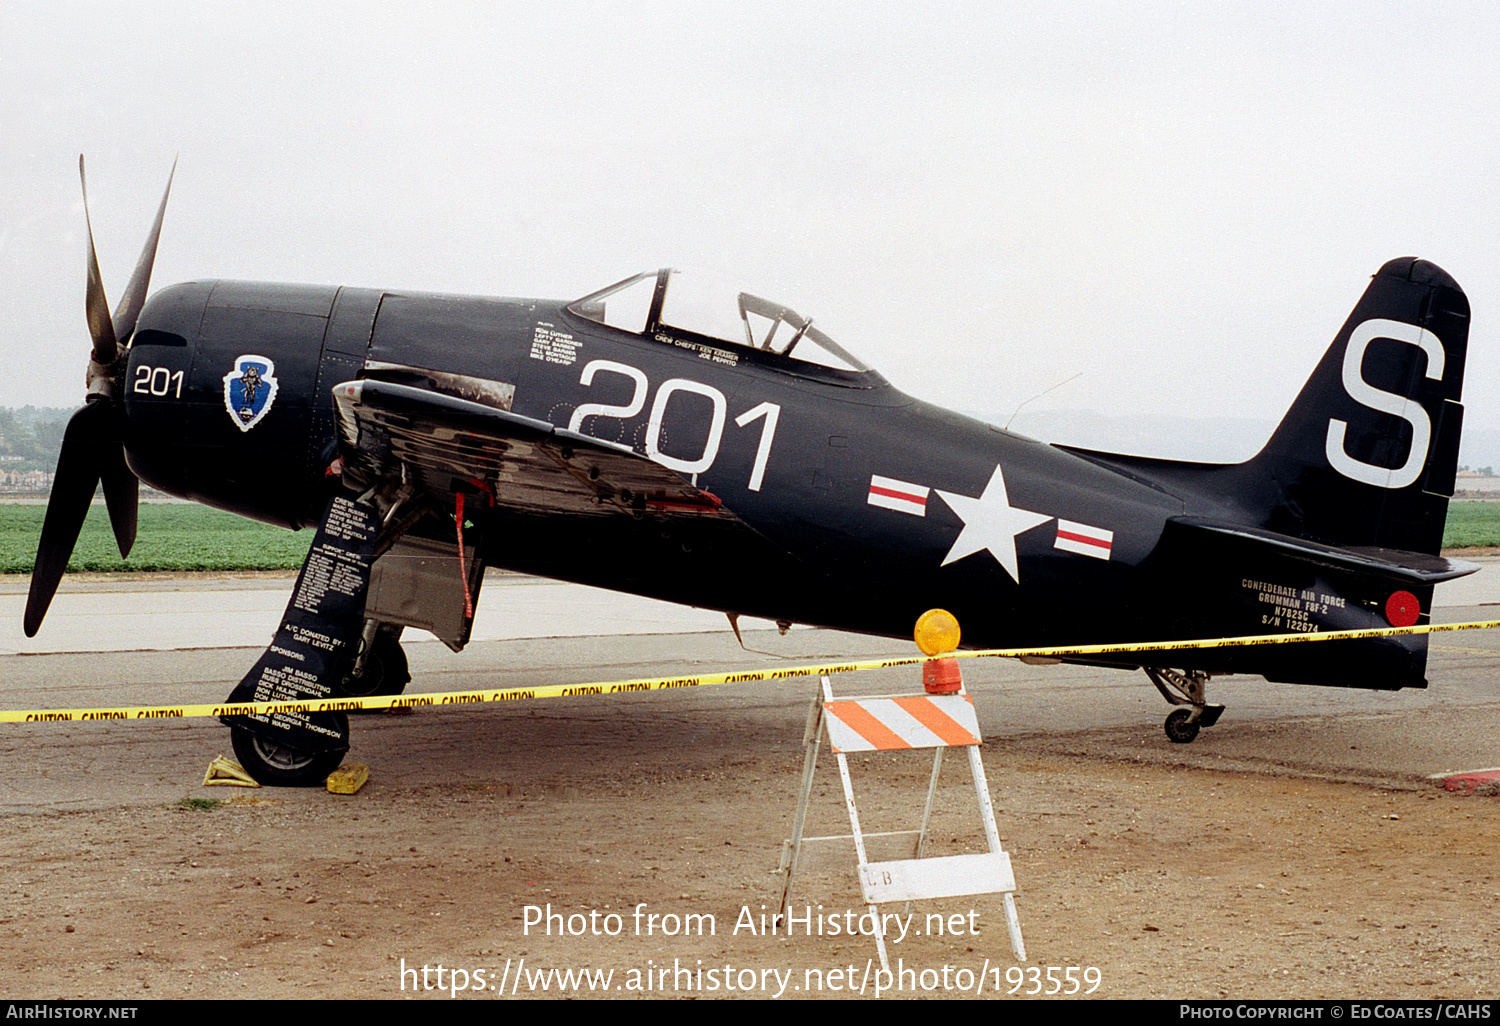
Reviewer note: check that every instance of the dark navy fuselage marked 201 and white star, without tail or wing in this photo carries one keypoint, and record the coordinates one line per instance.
(868, 506)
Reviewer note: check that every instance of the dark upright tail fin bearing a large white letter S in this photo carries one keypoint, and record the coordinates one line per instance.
(1369, 452)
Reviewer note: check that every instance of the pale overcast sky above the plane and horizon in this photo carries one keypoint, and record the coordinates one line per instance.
(1183, 202)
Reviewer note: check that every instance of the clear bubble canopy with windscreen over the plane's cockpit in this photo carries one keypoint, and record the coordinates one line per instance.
(709, 307)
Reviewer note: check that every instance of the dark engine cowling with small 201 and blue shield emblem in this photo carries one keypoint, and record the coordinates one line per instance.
(227, 392)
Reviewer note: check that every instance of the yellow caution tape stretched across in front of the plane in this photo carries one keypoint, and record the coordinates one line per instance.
(700, 680)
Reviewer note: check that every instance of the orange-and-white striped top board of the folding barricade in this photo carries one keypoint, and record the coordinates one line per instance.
(899, 724)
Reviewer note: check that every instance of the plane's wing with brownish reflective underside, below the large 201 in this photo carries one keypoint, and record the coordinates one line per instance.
(443, 445)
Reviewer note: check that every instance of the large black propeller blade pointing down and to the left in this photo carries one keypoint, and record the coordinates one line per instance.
(91, 433)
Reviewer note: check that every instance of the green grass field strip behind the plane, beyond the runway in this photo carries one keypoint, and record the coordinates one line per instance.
(194, 538)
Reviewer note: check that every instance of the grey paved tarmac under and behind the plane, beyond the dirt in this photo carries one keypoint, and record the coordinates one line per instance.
(191, 641)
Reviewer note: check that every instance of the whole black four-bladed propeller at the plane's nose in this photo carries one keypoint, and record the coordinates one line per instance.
(94, 445)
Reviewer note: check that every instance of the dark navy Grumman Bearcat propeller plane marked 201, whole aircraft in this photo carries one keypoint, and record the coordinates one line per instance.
(724, 451)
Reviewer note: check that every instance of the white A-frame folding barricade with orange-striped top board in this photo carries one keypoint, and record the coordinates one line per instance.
(901, 724)
